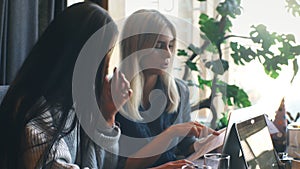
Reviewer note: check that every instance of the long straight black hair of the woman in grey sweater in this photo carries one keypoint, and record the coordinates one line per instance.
(47, 75)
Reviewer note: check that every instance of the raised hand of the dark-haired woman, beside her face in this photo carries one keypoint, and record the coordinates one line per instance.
(115, 93)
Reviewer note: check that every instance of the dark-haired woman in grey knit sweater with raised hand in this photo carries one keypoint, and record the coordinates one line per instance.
(39, 126)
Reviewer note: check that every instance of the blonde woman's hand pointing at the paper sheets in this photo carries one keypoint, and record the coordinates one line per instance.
(190, 129)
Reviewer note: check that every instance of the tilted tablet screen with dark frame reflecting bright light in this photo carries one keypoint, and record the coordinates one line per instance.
(256, 143)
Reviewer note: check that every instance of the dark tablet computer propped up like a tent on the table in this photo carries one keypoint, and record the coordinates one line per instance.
(250, 146)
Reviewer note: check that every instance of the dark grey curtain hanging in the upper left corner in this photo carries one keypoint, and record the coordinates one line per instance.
(21, 23)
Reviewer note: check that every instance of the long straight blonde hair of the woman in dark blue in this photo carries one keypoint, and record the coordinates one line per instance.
(141, 31)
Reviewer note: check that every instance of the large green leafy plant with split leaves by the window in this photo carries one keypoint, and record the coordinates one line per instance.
(273, 50)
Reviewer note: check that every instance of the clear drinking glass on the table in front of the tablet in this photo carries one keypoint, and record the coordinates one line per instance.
(217, 160)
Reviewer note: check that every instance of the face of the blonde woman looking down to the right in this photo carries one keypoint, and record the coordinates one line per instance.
(159, 58)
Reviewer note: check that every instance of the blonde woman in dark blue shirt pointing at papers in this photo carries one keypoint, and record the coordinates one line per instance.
(159, 110)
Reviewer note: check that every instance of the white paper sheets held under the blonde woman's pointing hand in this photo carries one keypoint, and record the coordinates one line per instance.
(208, 144)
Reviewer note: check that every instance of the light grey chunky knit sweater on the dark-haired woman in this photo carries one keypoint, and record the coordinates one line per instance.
(72, 151)
